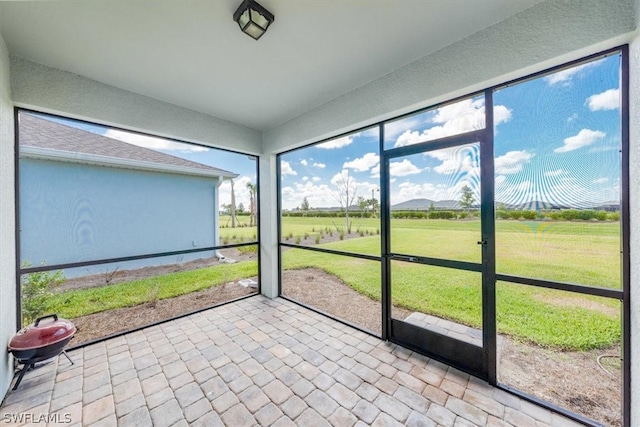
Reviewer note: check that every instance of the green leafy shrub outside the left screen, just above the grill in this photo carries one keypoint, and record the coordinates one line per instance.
(36, 288)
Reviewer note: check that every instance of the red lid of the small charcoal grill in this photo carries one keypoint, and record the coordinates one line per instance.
(42, 333)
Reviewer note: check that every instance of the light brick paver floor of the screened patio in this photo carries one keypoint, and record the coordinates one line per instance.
(260, 362)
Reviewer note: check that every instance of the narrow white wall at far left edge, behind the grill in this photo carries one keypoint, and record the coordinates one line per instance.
(7, 223)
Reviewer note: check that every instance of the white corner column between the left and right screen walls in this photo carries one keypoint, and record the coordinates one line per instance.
(268, 226)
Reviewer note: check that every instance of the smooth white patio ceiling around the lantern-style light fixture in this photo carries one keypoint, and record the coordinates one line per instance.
(191, 53)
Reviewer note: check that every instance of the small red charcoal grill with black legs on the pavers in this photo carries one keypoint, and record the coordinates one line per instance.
(41, 341)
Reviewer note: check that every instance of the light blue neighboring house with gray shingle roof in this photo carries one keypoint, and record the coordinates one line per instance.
(86, 197)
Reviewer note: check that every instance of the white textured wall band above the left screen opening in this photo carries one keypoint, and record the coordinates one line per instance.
(54, 91)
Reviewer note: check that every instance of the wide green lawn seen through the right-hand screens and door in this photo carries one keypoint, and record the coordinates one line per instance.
(586, 253)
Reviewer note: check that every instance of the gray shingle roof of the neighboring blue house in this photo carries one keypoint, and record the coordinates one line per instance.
(42, 133)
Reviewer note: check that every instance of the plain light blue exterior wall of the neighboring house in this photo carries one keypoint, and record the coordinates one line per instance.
(96, 212)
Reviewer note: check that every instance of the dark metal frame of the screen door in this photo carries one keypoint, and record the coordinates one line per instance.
(478, 361)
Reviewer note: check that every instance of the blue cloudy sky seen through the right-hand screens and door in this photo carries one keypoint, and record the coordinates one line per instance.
(556, 140)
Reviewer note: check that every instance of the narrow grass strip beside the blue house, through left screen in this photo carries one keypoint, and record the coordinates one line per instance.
(76, 303)
